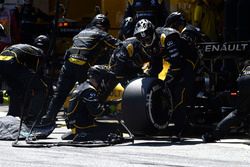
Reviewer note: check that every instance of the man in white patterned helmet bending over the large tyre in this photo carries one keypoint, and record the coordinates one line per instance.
(166, 43)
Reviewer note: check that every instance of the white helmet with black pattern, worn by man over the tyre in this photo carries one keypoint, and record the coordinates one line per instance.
(145, 32)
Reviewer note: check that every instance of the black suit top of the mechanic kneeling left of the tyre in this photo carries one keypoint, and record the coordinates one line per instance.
(84, 107)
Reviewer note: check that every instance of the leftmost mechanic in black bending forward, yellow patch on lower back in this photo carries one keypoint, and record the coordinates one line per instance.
(21, 68)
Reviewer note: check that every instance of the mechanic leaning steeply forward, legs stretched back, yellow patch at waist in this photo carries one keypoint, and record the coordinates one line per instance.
(88, 46)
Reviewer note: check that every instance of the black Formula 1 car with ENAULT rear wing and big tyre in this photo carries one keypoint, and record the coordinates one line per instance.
(147, 109)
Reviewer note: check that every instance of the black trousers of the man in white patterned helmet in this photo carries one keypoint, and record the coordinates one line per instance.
(181, 85)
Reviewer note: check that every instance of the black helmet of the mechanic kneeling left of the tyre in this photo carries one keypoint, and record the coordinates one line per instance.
(101, 74)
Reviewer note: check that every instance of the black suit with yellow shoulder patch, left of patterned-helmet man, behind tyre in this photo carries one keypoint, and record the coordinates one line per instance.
(127, 62)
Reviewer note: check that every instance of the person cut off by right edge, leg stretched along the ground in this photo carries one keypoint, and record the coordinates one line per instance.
(239, 114)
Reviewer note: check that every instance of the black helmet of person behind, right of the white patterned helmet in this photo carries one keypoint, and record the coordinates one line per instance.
(174, 20)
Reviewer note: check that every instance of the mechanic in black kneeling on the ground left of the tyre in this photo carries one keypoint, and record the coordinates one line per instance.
(85, 105)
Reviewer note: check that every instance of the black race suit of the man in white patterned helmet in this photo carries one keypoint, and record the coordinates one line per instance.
(180, 76)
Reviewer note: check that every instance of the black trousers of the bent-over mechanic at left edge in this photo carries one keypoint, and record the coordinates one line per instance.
(27, 89)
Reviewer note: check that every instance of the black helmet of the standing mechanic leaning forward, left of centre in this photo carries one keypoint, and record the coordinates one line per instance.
(102, 21)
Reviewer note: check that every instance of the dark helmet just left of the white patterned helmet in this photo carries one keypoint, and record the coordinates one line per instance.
(127, 27)
